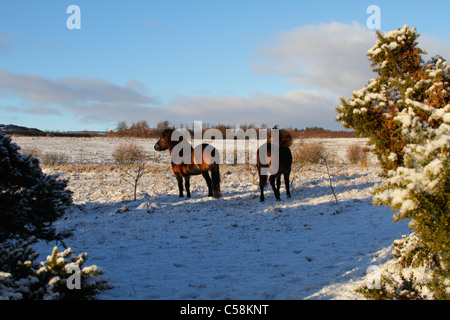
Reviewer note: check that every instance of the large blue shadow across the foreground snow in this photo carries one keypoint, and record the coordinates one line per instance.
(165, 247)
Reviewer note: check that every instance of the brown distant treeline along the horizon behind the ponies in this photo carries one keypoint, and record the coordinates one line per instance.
(141, 129)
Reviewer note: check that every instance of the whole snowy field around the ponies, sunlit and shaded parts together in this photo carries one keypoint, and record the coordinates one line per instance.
(164, 247)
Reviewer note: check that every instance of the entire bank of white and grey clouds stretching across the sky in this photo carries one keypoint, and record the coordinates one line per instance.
(330, 59)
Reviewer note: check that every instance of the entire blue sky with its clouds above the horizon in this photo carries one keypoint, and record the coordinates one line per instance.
(273, 62)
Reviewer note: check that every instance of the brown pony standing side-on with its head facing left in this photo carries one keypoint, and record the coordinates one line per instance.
(188, 168)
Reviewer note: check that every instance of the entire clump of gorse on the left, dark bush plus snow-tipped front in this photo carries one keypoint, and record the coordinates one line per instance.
(30, 201)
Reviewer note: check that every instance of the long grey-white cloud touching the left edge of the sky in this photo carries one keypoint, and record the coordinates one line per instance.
(89, 99)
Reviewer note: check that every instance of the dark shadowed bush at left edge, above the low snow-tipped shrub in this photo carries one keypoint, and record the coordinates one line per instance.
(30, 201)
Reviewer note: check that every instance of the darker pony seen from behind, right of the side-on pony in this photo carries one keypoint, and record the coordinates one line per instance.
(284, 161)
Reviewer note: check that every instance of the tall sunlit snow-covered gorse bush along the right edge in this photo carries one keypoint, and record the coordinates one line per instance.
(405, 113)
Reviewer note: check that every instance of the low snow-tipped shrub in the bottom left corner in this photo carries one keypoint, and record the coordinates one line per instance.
(53, 279)
